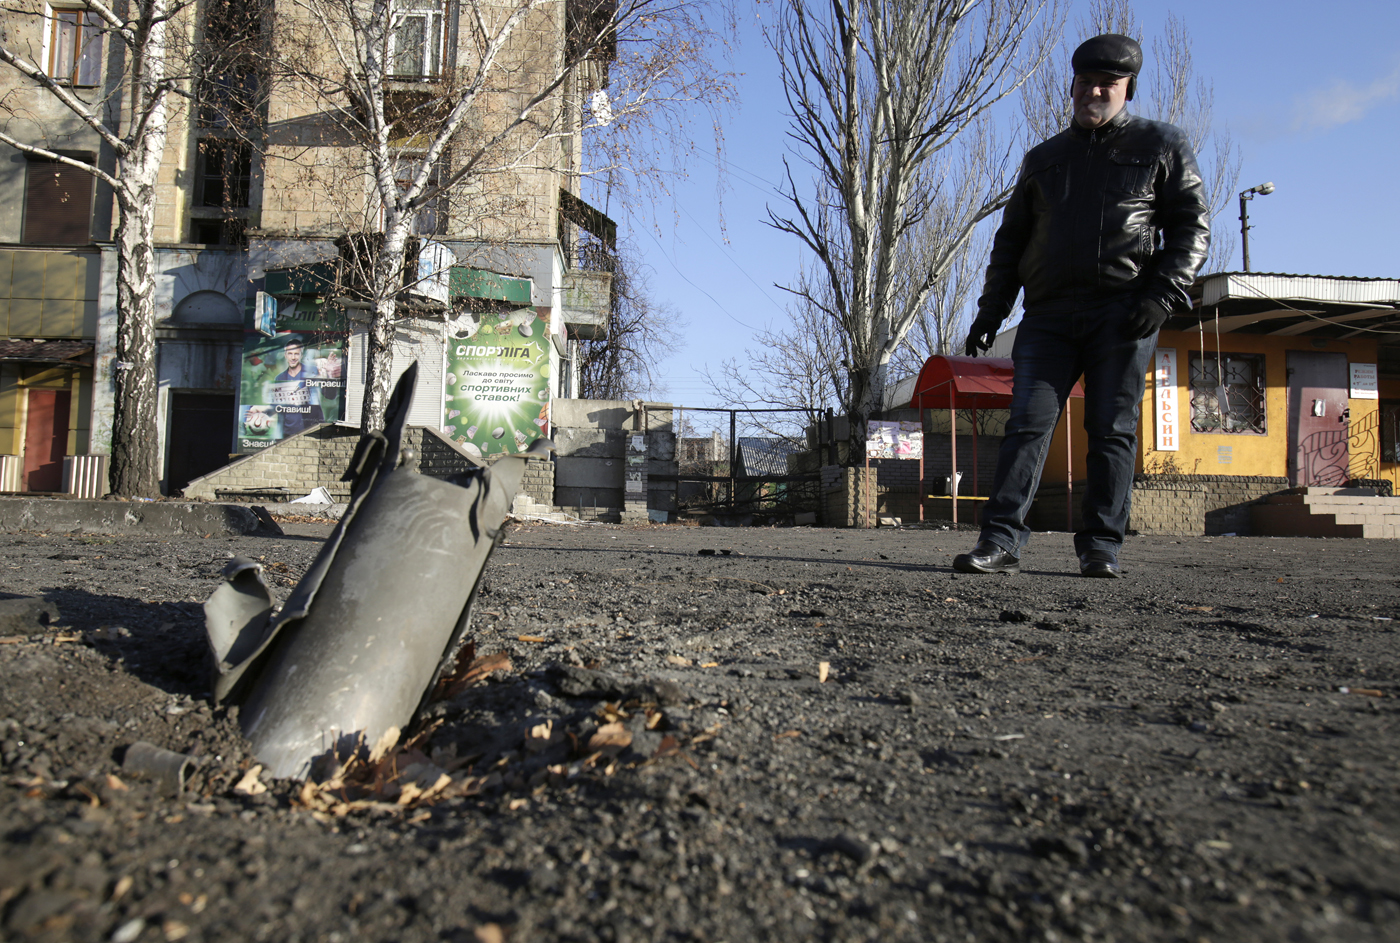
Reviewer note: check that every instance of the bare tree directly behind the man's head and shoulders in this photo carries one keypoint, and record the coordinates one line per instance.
(1170, 92)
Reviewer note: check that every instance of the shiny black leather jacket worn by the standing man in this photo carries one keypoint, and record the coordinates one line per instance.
(1112, 215)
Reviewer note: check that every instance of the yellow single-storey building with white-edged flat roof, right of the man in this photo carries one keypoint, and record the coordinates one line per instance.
(1276, 376)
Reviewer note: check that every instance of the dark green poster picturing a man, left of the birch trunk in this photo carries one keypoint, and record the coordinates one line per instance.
(292, 383)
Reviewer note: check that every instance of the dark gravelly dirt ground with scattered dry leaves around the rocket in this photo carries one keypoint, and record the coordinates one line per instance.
(703, 734)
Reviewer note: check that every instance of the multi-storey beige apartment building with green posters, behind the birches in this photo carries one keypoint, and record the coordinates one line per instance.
(265, 209)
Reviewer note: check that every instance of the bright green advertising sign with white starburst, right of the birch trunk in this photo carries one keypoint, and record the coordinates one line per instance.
(498, 384)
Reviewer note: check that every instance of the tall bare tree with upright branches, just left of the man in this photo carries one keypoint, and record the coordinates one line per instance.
(880, 93)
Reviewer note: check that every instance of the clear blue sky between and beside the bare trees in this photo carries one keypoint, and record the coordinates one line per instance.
(1310, 93)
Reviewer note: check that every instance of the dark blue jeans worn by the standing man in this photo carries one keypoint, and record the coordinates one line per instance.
(1052, 352)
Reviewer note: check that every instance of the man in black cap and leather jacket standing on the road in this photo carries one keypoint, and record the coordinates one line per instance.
(1105, 230)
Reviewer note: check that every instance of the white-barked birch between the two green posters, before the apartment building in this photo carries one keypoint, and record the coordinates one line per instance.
(450, 129)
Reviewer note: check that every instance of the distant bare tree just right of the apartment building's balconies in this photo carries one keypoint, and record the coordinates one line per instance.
(640, 335)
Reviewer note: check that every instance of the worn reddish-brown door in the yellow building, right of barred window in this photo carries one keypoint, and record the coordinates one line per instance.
(1318, 433)
